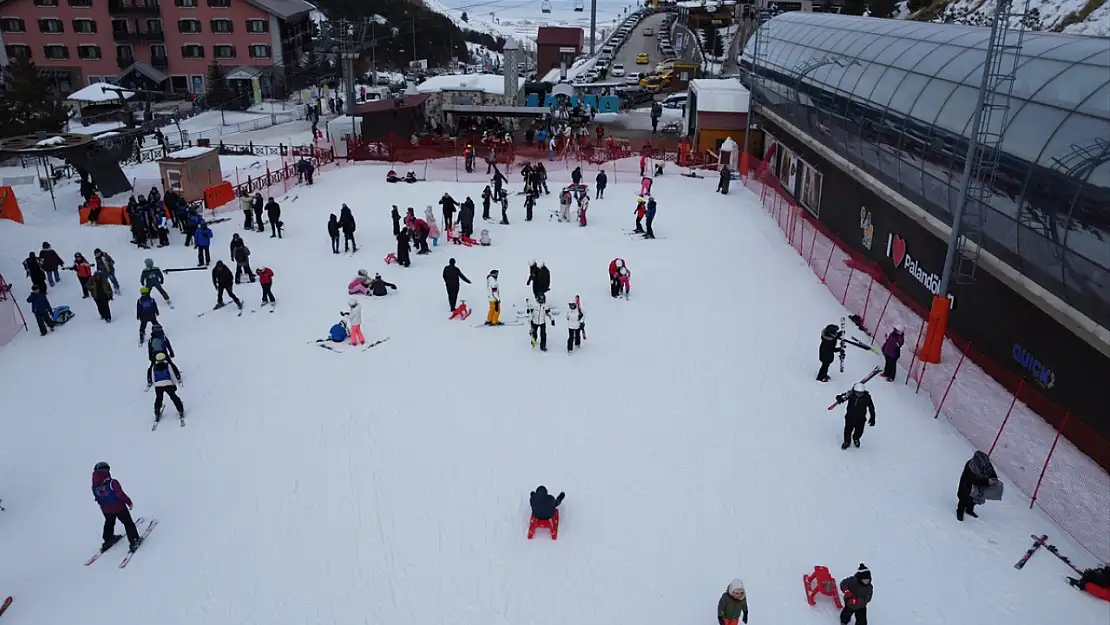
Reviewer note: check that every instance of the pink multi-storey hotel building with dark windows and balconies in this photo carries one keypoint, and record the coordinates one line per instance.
(164, 45)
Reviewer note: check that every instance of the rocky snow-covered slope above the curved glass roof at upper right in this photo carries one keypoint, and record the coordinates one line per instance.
(1074, 17)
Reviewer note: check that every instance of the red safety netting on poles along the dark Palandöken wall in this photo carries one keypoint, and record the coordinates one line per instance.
(992, 407)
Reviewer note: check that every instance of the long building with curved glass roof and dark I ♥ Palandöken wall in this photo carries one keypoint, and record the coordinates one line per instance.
(874, 117)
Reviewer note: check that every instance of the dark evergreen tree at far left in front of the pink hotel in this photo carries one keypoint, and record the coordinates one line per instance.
(31, 105)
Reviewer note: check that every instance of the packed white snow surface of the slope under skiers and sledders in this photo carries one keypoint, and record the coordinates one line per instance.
(391, 487)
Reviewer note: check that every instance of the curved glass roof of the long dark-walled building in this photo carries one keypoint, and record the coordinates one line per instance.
(897, 98)
